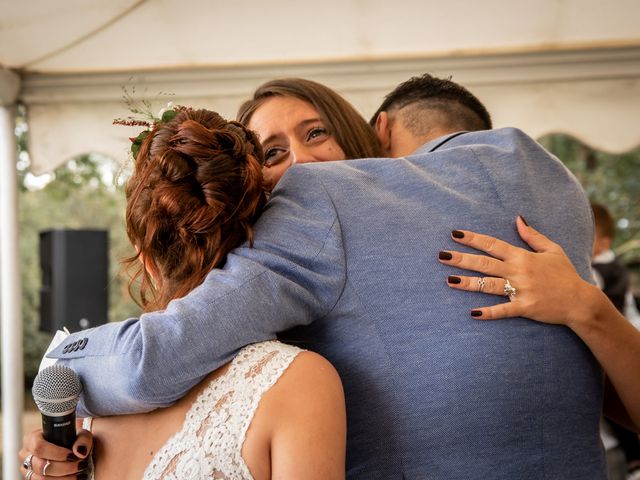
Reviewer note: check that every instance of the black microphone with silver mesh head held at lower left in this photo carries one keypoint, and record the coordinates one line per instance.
(56, 391)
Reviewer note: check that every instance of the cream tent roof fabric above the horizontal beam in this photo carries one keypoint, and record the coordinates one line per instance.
(100, 35)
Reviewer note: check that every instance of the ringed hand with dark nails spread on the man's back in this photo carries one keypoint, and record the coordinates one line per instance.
(545, 280)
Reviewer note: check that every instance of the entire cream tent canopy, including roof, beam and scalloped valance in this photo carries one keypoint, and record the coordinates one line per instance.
(555, 65)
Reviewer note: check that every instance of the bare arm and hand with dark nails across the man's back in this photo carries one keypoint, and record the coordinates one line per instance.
(549, 290)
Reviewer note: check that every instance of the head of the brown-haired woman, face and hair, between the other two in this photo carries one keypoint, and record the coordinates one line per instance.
(299, 121)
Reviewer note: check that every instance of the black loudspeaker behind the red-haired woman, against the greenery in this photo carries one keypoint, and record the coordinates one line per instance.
(75, 266)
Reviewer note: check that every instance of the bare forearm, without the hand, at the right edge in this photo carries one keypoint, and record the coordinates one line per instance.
(616, 345)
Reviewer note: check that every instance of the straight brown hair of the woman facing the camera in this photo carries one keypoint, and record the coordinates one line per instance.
(354, 135)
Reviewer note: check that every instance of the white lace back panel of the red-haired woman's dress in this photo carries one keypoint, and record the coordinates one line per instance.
(210, 442)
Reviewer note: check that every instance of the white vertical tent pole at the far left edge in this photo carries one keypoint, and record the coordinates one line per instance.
(10, 287)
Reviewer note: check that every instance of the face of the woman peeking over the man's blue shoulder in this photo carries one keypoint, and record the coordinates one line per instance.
(291, 131)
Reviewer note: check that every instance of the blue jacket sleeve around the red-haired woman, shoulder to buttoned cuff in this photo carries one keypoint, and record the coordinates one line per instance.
(292, 276)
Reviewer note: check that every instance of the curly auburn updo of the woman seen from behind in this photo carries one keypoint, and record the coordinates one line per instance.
(194, 195)
